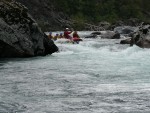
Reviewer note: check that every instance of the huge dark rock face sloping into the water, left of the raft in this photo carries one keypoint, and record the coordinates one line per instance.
(20, 35)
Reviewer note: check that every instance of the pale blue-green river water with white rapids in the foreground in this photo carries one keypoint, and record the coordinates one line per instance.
(94, 76)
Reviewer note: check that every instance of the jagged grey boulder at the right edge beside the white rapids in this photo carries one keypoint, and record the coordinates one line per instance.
(142, 37)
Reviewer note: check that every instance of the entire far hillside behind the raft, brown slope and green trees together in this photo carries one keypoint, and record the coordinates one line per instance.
(55, 14)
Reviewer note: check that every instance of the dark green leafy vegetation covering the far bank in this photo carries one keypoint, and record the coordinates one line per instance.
(104, 10)
